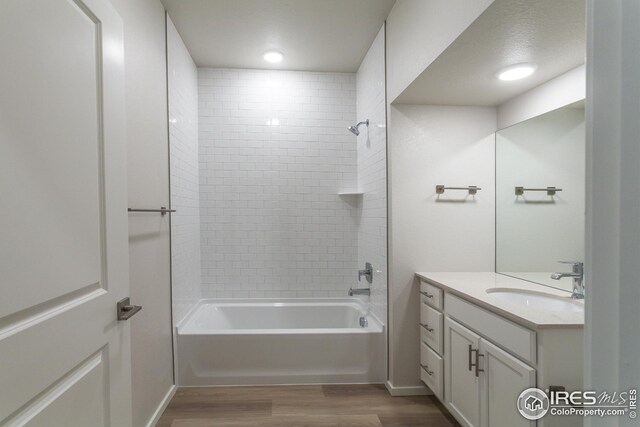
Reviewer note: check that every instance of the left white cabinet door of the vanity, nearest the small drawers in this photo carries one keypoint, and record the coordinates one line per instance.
(462, 386)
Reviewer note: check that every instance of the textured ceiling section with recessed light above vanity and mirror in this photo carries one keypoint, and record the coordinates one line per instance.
(550, 33)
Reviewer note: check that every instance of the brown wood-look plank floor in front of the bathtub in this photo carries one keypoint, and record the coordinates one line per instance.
(302, 406)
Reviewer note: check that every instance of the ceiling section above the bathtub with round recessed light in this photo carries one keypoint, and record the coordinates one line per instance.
(317, 35)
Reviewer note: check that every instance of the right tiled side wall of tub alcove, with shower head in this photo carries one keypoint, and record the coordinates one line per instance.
(372, 172)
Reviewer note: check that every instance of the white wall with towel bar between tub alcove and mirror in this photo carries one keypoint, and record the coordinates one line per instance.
(430, 145)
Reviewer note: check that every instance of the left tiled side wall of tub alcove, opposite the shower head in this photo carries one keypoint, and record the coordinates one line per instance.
(185, 184)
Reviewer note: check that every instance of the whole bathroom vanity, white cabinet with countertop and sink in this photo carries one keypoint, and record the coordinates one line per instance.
(486, 337)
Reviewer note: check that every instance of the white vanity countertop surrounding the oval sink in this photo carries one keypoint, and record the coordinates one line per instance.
(473, 287)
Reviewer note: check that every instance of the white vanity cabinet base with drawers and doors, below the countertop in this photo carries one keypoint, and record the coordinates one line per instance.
(478, 361)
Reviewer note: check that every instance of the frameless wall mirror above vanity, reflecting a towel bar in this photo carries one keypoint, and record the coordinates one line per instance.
(540, 196)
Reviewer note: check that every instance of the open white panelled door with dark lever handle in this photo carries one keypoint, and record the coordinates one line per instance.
(64, 357)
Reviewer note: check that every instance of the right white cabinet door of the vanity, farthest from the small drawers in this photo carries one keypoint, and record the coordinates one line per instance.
(503, 379)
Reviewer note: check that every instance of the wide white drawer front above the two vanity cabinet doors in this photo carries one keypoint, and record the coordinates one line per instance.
(513, 337)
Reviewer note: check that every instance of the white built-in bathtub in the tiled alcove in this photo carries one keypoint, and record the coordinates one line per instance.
(285, 341)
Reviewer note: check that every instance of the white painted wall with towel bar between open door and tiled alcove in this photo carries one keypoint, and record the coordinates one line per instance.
(148, 175)
